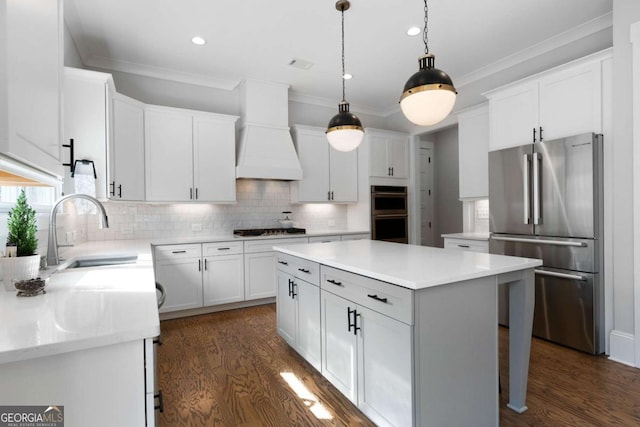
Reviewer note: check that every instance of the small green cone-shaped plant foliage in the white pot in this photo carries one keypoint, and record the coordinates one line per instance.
(22, 227)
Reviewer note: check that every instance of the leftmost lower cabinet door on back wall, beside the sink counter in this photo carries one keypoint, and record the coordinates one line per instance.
(182, 279)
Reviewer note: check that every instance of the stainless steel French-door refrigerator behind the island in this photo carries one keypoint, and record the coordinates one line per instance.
(545, 201)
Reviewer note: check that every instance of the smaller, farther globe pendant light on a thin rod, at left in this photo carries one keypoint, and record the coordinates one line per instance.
(345, 131)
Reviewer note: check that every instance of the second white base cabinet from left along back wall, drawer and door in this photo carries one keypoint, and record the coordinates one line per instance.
(223, 273)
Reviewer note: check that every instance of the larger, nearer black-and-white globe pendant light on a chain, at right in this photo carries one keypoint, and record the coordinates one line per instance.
(428, 95)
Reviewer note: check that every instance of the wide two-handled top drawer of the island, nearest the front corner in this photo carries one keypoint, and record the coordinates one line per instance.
(385, 298)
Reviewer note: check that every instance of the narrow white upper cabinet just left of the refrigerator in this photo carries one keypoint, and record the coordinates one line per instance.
(473, 152)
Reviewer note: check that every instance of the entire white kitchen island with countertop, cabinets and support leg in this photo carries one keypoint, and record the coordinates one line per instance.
(408, 333)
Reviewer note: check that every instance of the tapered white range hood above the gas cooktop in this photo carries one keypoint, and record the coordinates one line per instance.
(266, 149)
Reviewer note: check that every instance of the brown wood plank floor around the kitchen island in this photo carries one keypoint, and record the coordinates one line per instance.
(224, 369)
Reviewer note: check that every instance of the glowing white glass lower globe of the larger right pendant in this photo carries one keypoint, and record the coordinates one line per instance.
(428, 107)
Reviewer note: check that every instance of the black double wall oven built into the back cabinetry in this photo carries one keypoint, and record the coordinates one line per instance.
(389, 217)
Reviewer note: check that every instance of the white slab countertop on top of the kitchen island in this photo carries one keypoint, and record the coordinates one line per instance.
(410, 266)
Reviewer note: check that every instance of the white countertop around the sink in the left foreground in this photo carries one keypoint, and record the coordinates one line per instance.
(83, 308)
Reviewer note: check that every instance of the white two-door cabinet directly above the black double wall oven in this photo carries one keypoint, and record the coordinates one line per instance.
(388, 153)
